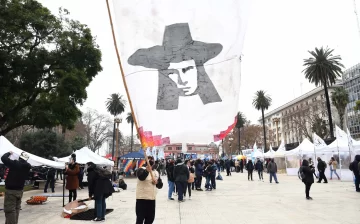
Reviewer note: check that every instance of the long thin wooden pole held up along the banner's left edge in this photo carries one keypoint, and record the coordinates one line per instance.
(125, 84)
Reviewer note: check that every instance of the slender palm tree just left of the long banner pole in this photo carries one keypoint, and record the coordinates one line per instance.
(115, 105)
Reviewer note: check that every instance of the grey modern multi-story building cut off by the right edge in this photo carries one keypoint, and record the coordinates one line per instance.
(351, 81)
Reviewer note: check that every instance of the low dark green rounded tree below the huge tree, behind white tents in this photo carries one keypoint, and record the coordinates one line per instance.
(45, 144)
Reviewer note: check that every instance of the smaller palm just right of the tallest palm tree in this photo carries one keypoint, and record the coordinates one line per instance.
(340, 99)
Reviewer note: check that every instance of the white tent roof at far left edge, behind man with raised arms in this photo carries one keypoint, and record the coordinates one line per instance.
(6, 146)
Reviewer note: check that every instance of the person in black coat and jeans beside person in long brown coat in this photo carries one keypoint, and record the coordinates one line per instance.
(100, 188)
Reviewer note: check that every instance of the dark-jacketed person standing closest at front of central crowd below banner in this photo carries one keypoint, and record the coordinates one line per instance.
(181, 176)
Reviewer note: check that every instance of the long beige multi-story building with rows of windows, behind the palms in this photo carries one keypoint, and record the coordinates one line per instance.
(292, 121)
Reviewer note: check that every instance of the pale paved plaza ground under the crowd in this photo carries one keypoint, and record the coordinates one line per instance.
(236, 200)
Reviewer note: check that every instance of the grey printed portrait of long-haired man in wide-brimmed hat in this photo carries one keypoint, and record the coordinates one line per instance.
(180, 63)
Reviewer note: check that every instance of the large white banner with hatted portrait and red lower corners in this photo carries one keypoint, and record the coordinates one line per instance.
(181, 61)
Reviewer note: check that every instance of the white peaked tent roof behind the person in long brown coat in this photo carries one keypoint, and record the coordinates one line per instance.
(85, 155)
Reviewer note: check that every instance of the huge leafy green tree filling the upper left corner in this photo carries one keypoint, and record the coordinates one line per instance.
(46, 63)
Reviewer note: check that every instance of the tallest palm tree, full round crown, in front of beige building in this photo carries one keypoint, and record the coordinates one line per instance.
(323, 69)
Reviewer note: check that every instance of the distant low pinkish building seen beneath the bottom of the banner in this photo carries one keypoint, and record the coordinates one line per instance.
(200, 149)
